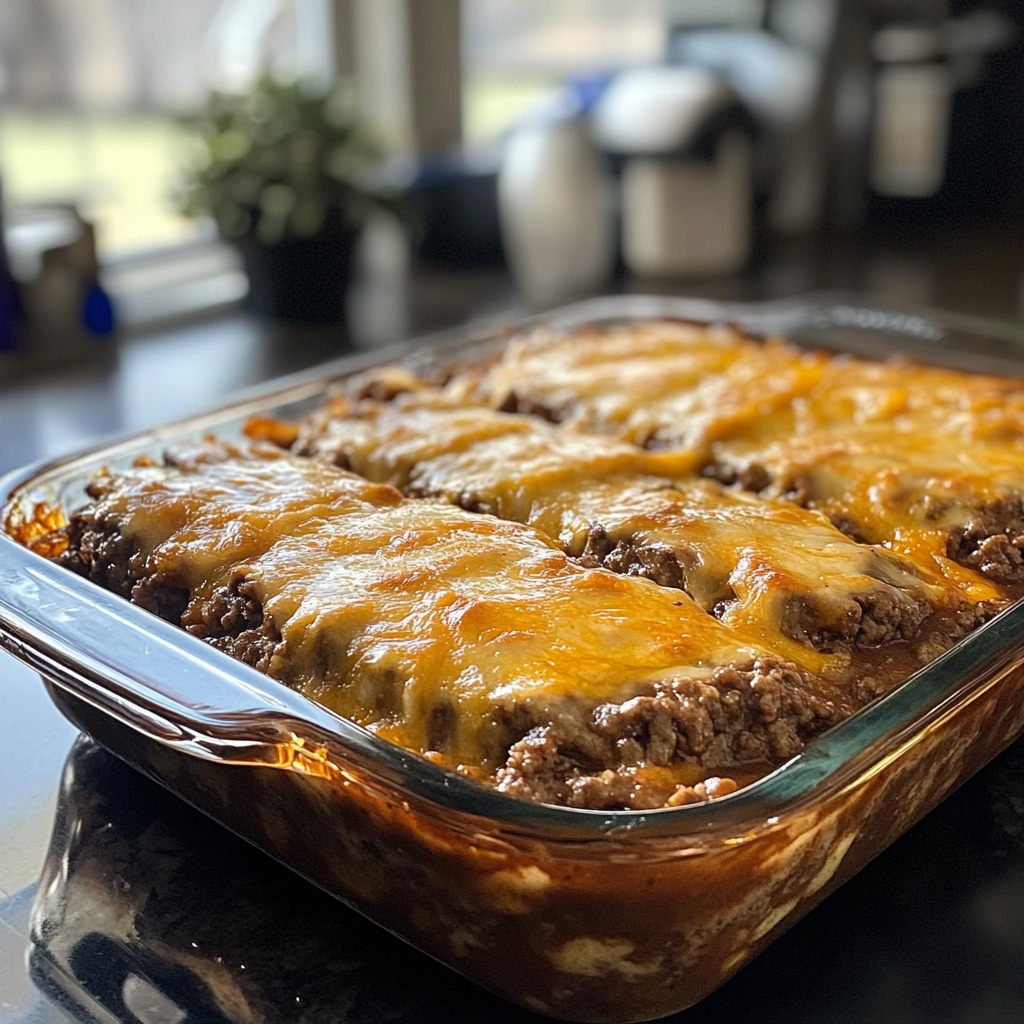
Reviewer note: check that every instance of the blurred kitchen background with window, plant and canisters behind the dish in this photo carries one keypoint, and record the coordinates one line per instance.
(492, 157)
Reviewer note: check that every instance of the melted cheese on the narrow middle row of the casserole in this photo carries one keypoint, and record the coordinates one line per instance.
(750, 561)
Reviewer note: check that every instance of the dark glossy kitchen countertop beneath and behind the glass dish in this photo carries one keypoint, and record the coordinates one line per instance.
(147, 909)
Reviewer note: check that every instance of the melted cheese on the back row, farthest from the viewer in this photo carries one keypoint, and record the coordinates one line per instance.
(903, 455)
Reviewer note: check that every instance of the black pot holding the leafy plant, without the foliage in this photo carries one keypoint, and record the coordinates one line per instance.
(301, 280)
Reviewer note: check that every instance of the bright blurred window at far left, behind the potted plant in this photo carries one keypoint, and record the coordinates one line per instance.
(90, 89)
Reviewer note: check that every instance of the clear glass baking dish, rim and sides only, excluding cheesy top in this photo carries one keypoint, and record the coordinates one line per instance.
(586, 916)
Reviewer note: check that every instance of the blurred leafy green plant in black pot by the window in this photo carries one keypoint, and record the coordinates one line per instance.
(282, 169)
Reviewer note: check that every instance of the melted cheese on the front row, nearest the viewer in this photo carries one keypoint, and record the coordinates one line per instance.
(397, 613)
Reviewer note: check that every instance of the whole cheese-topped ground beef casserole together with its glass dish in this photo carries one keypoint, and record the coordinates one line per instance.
(587, 657)
